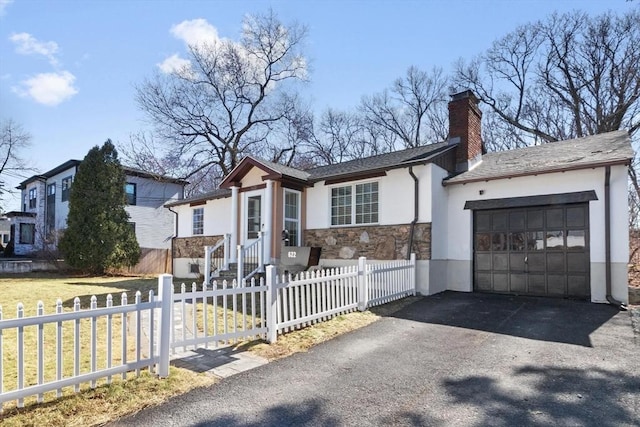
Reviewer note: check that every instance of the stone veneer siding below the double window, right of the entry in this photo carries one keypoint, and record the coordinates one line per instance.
(379, 242)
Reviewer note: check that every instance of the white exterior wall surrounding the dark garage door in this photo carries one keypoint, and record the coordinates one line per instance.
(459, 228)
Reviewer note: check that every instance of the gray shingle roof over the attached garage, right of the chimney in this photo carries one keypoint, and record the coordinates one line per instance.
(580, 153)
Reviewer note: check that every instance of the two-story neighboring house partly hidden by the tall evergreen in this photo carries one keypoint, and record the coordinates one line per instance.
(45, 206)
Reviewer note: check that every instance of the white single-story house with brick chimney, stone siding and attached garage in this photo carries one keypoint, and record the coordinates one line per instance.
(544, 220)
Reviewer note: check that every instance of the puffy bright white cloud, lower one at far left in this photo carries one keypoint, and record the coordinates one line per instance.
(49, 88)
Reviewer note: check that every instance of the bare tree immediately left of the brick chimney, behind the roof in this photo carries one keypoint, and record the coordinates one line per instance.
(413, 109)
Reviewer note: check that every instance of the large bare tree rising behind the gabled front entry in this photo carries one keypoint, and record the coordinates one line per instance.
(226, 101)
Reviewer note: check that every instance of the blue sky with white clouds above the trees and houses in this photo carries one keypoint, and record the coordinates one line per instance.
(68, 68)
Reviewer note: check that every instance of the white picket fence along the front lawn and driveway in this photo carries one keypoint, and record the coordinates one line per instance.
(148, 333)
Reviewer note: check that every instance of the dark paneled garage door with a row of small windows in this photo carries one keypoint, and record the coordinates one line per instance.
(540, 250)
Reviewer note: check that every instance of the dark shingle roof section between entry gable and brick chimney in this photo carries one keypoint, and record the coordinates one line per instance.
(374, 163)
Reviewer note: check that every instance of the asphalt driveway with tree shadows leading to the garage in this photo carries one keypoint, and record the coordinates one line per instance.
(453, 359)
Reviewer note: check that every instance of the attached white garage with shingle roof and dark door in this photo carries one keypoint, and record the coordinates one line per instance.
(547, 220)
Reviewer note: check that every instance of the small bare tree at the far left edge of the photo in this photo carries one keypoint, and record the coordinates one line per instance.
(13, 141)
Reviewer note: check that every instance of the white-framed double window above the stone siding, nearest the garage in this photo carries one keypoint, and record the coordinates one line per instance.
(364, 197)
